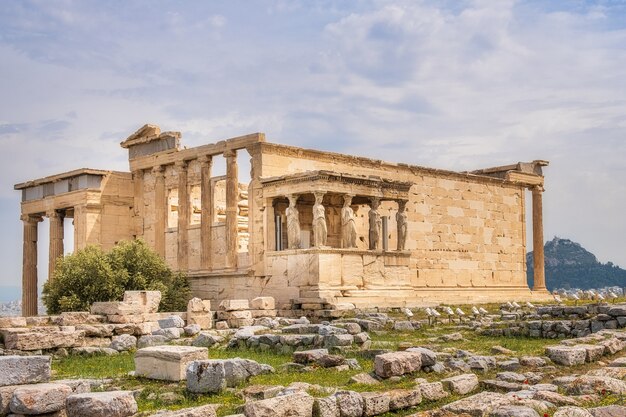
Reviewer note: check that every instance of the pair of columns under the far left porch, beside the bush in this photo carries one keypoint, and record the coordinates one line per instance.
(29, 255)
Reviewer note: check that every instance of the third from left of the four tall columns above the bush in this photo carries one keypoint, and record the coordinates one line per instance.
(206, 213)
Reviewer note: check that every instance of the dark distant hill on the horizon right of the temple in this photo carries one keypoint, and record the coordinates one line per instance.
(569, 265)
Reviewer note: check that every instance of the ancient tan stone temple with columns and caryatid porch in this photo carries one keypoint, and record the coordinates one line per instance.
(309, 225)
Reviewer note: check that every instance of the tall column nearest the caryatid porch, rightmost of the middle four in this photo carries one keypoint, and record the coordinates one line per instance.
(232, 209)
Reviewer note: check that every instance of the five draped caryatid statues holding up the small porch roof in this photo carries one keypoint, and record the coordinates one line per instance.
(348, 224)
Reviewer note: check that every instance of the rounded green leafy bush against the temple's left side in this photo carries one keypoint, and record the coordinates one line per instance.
(91, 275)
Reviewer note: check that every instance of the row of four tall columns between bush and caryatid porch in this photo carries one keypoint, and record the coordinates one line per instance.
(206, 216)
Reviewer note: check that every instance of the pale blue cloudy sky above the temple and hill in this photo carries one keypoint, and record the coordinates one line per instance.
(457, 85)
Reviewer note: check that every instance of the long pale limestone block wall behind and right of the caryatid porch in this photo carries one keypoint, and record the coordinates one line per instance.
(465, 231)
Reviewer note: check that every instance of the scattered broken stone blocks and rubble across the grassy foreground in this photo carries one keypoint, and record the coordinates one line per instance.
(178, 347)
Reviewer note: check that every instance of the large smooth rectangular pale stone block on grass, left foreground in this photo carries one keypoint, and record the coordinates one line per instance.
(167, 363)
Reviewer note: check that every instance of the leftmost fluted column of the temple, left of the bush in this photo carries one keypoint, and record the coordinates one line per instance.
(29, 266)
